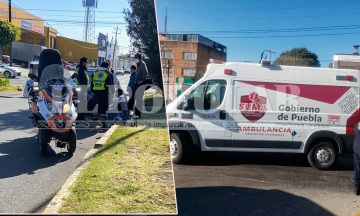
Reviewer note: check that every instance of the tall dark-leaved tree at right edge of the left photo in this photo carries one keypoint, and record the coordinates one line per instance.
(142, 29)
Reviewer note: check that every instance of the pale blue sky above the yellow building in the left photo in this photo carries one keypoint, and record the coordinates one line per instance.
(108, 16)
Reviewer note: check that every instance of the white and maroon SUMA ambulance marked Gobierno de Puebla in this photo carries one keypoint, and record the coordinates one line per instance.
(247, 107)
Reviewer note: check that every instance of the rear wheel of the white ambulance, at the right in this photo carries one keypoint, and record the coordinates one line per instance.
(322, 155)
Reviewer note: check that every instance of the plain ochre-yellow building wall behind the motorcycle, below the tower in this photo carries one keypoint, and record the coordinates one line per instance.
(77, 48)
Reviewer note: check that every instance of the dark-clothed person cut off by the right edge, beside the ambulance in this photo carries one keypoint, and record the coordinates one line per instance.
(356, 148)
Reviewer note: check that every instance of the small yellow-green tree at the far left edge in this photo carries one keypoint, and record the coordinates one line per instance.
(9, 33)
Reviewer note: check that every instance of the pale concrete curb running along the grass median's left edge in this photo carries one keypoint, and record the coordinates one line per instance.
(57, 201)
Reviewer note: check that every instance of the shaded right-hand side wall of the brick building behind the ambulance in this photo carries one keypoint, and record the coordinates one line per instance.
(204, 55)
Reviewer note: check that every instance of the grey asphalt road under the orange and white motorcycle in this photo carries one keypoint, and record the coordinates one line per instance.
(29, 181)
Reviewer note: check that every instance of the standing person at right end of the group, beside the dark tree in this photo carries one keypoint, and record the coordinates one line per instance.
(140, 77)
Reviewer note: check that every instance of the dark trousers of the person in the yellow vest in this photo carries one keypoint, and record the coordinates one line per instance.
(101, 98)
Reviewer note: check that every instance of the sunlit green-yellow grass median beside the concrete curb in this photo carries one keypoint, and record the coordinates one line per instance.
(130, 174)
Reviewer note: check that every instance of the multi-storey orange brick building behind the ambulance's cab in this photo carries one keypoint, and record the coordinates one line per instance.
(186, 56)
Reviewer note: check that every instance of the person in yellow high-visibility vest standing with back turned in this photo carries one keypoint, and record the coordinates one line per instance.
(102, 86)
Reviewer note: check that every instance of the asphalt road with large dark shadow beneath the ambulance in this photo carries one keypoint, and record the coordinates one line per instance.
(263, 184)
